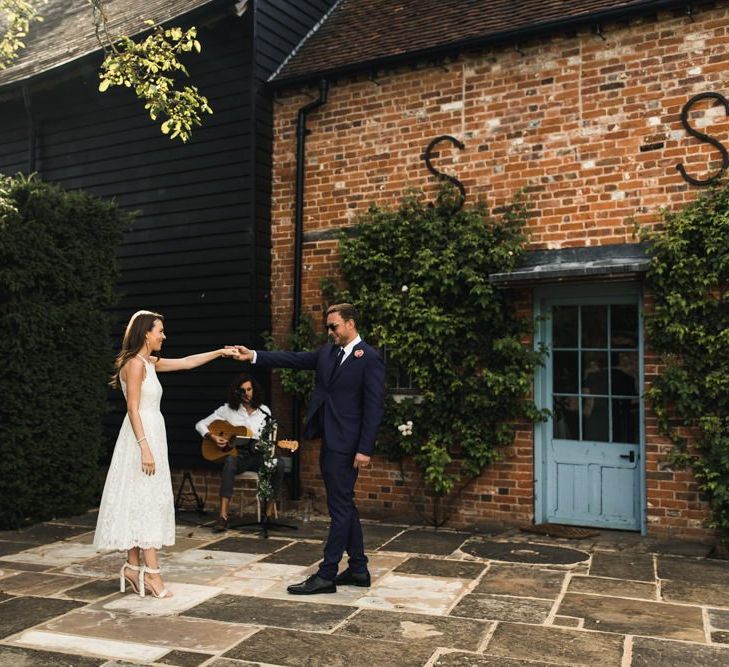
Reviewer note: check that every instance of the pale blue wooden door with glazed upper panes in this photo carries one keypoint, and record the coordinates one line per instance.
(591, 447)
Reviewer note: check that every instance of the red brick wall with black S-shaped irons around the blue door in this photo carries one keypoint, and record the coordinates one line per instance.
(590, 127)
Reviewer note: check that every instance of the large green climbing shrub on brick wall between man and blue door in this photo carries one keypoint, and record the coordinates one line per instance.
(420, 276)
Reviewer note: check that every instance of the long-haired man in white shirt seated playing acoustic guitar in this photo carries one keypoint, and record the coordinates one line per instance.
(243, 408)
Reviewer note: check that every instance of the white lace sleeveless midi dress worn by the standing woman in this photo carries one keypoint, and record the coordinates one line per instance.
(137, 510)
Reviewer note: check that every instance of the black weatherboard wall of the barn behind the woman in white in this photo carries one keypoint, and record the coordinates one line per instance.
(199, 250)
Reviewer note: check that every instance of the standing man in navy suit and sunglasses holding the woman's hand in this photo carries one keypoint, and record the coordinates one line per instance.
(345, 411)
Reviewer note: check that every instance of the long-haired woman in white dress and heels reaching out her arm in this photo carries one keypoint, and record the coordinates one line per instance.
(137, 511)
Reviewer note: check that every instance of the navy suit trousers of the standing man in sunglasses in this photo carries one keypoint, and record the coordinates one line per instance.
(345, 530)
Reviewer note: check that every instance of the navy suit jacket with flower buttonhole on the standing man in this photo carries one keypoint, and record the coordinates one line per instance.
(346, 406)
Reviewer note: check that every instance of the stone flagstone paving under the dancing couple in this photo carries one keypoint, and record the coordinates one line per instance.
(438, 598)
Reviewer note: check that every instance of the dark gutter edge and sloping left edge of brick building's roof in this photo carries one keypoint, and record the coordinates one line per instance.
(471, 42)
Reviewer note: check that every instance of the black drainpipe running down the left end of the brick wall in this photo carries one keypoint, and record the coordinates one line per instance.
(301, 132)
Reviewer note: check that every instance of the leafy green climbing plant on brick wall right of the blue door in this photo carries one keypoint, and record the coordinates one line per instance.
(689, 329)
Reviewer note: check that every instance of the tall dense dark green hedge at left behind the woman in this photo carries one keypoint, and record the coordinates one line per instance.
(57, 275)
